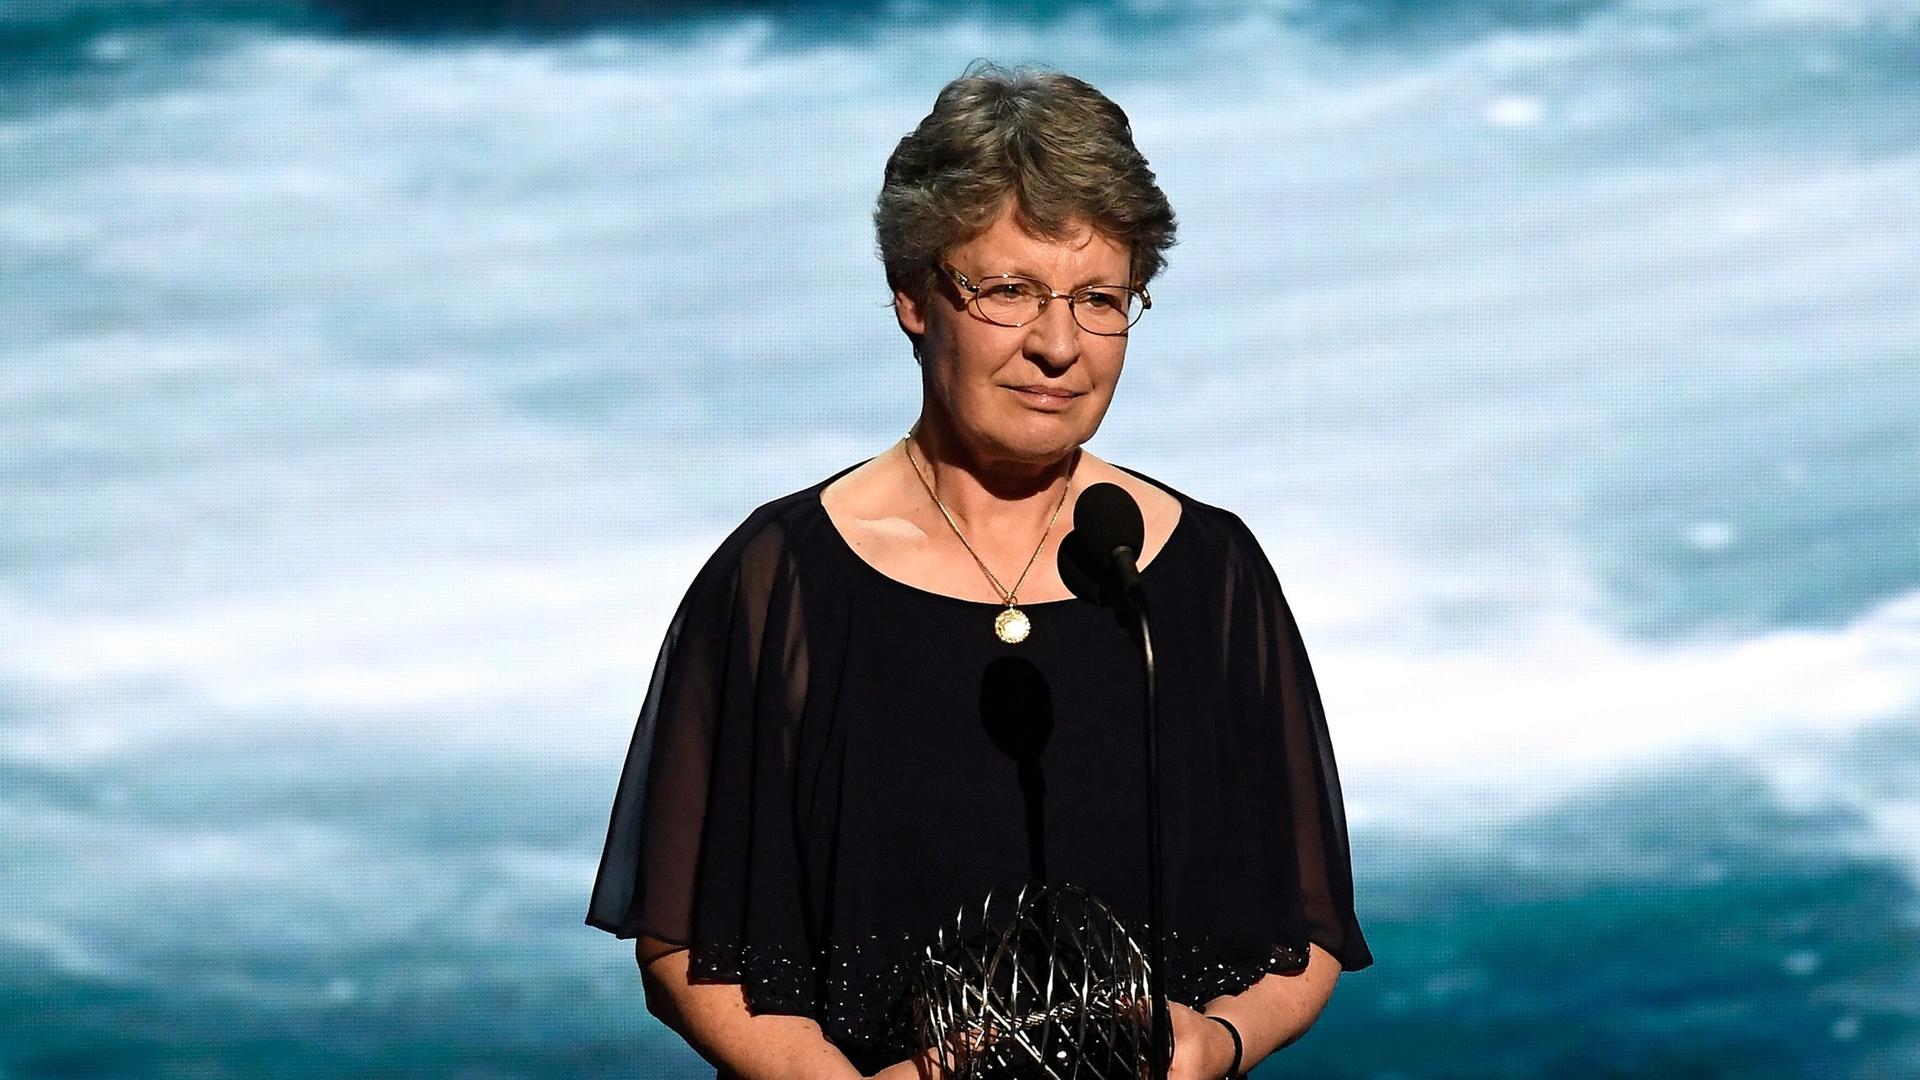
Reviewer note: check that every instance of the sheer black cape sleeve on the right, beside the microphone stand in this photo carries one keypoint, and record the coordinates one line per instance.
(1299, 789)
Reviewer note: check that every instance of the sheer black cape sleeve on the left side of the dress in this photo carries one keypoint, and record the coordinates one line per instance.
(702, 847)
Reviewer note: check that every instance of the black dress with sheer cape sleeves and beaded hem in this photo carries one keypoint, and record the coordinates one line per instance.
(830, 764)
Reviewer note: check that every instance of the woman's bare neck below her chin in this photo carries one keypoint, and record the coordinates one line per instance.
(988, 495)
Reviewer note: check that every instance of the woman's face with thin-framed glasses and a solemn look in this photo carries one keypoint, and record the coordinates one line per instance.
(1020, 395)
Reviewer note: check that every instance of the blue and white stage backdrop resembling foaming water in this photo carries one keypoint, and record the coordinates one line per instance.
(373, 385)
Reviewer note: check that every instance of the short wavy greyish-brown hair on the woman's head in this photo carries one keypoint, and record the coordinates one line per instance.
(1047, 145)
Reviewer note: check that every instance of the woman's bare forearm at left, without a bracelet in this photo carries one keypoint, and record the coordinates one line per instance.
(715, 1021)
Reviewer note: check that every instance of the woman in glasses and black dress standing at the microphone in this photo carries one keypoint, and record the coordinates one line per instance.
(880, 700)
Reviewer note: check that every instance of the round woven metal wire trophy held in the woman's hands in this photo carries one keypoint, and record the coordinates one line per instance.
(1055, 989)
